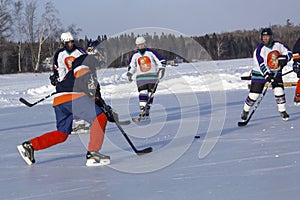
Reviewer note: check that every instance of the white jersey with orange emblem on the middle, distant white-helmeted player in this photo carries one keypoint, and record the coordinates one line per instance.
(147, 62)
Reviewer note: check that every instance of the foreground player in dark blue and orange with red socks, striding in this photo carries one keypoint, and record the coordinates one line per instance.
(75, 97)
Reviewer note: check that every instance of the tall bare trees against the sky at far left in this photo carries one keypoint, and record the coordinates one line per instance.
(37, 35)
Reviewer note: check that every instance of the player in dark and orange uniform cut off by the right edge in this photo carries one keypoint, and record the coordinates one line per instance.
(296, 68)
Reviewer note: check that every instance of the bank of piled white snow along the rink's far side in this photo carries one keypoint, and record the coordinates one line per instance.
(201, 76)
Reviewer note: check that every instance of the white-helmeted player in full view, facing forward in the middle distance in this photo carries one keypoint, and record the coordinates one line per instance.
(150, 68)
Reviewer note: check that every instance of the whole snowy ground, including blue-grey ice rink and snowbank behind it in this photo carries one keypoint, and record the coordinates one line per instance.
(259, 161)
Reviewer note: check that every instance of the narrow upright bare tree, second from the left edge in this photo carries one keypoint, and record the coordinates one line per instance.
(18, 17)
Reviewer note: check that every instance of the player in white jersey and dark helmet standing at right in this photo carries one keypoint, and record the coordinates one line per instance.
(269, 58)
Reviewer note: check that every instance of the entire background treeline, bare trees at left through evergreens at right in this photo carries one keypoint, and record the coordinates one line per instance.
(27, 39)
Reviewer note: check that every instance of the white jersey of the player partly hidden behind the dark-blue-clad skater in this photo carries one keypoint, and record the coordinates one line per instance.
(63, 61)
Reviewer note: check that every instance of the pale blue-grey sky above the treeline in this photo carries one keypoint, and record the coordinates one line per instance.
(190, 17)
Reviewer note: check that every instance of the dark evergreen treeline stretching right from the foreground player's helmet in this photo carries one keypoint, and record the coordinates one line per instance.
(230, 45)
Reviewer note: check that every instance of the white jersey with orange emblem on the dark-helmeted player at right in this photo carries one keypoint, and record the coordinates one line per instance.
(266, 58)
